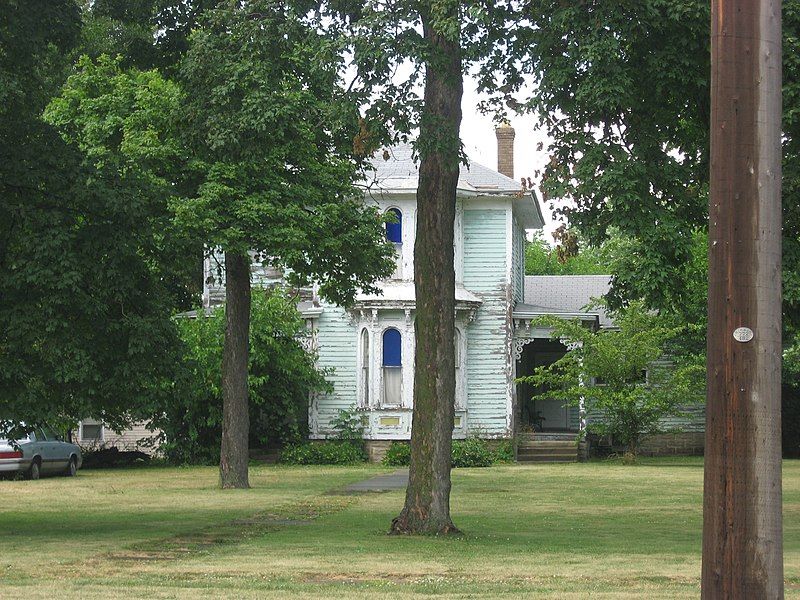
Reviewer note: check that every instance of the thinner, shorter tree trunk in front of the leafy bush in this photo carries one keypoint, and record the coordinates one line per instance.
(234, 454)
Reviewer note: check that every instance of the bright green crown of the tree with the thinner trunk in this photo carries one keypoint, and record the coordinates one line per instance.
(269, 128)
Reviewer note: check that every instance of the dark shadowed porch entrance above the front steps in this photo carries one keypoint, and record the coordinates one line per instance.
(538, 414)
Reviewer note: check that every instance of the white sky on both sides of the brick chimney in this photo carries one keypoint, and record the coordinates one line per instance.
(480, 143)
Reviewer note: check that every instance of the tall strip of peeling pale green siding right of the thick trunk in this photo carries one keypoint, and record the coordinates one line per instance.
(487, 343)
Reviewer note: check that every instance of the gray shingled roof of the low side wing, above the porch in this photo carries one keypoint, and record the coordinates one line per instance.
(565, 294)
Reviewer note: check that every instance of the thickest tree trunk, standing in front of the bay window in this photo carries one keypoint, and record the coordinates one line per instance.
(427, 506)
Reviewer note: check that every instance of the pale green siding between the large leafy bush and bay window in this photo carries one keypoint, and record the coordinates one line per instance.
(336, 340)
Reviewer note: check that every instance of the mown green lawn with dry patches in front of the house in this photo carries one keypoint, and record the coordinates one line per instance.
(598, 530)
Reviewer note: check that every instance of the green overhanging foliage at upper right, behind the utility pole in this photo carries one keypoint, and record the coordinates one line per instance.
(623, 90)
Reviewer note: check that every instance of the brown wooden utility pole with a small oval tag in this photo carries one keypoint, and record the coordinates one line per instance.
(742, 524)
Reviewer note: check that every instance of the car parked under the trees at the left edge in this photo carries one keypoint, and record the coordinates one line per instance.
(40, 452)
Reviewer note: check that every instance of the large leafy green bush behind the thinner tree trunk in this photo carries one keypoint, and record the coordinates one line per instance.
(281, 377)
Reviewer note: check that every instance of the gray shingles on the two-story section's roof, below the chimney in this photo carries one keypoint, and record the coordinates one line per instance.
(401, 172)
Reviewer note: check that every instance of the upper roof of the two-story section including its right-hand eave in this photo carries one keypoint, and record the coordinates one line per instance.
(396, 172)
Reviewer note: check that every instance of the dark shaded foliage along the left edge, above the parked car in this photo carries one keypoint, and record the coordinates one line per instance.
(84, 321)
